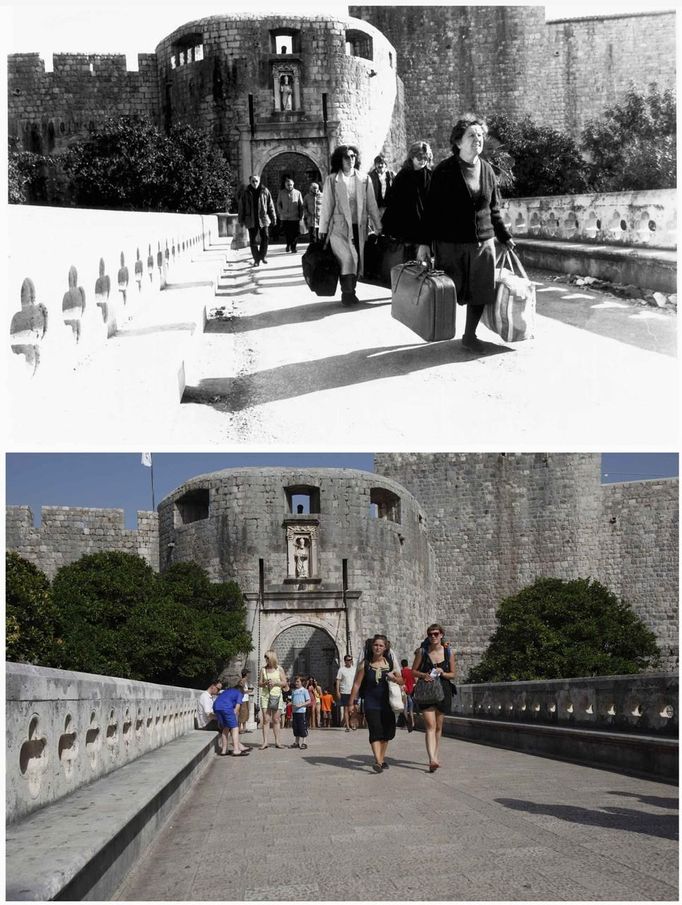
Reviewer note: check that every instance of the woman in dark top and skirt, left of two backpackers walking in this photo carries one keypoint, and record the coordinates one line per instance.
(374, 673)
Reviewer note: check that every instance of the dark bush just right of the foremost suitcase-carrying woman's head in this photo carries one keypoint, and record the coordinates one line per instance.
(544, 161)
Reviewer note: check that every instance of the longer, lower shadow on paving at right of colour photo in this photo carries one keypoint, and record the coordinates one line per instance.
(664, 826)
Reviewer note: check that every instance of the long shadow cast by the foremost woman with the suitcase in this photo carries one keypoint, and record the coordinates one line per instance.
(234, 394)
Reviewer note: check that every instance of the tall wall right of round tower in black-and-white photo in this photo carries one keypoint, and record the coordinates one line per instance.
(508, 60)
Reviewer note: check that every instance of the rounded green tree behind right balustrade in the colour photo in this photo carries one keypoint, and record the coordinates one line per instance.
(558, 629)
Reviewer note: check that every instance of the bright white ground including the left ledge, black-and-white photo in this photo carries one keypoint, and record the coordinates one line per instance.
(280, 368)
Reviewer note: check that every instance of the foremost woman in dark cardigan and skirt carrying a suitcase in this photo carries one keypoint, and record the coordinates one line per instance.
(462, 220)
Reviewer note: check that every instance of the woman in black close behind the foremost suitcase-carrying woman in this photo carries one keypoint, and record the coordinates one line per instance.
(406, 198)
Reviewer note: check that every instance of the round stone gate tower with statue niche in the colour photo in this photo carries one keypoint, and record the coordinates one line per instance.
(325, 557)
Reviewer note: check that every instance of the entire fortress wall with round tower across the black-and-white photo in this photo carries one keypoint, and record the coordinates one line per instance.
(446, 59)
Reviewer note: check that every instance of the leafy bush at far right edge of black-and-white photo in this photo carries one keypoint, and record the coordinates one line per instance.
(633, 144)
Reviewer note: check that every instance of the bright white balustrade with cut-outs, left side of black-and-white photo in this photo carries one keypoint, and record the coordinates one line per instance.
(76, 276)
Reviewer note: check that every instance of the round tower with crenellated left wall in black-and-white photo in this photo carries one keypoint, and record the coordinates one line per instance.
(223, 73)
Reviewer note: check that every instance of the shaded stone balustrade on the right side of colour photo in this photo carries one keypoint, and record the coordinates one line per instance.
(646, 703)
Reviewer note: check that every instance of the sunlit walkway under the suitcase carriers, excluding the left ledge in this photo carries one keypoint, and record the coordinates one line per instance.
(279, 365)
